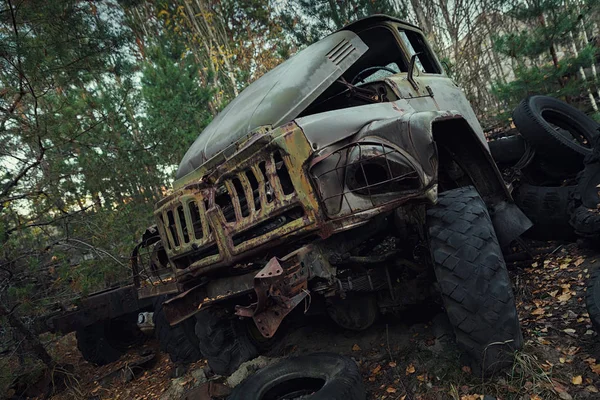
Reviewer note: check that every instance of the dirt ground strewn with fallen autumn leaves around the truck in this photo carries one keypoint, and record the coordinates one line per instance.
(413, 356)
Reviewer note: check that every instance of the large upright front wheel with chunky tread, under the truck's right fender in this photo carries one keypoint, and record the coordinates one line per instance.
(474, 283)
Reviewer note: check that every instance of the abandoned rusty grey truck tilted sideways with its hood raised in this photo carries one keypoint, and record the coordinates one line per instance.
(354, 175)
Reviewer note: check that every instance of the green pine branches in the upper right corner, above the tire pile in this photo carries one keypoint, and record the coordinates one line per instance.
(539, 67)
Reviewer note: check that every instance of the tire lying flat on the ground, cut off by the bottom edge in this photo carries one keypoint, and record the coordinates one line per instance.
(320, 376)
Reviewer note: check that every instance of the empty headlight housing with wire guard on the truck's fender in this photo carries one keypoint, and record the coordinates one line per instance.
(362, 175)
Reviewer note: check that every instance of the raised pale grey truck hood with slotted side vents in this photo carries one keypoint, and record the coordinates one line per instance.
(277, 97)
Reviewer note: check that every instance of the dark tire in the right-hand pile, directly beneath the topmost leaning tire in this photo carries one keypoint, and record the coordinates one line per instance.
(548, 209)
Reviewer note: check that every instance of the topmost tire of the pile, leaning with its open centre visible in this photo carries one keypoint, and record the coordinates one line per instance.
(557, 130)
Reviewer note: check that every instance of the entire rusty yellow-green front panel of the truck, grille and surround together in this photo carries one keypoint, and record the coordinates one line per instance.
(260, 184)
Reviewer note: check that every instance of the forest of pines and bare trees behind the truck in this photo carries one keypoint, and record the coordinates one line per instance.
(99, 100)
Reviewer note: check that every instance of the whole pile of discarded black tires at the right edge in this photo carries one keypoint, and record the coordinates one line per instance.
(554, 164)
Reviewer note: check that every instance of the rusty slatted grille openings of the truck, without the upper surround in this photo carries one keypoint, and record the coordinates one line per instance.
(244, 209)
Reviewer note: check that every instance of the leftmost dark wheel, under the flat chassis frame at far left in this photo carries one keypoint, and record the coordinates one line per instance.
(105, 341)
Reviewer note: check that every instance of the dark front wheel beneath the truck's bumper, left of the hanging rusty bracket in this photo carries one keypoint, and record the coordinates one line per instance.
(224, 341)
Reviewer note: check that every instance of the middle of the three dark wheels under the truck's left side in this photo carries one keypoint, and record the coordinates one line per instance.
(178, 341)
